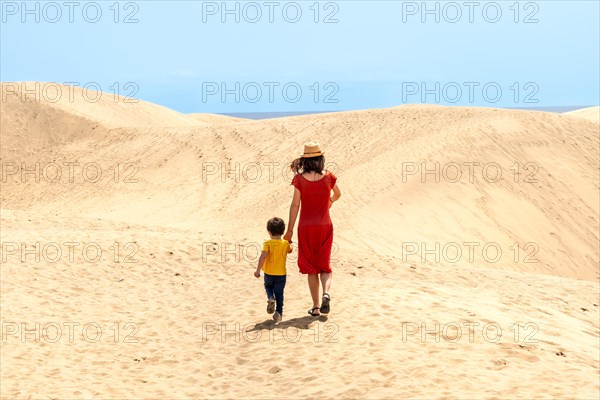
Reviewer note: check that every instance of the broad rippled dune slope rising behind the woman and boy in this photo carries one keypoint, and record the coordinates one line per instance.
(524, 183)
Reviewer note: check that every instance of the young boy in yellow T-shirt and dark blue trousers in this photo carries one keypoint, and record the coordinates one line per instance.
(272, 261)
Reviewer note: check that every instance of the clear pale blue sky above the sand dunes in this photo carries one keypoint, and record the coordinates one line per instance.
(349, 55)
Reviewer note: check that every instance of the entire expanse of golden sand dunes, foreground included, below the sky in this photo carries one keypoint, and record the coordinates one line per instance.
(190, 203)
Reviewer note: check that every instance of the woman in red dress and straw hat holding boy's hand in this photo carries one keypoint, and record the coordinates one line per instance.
(312, 190)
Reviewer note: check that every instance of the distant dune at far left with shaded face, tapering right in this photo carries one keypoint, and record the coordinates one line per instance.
(53, 113)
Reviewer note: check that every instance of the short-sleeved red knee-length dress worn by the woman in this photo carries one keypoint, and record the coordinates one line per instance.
(315, 230)
